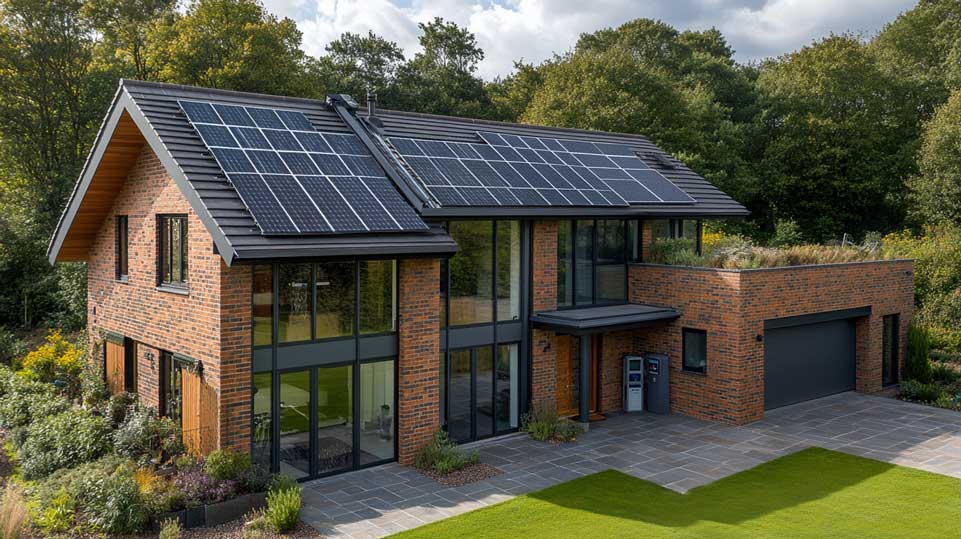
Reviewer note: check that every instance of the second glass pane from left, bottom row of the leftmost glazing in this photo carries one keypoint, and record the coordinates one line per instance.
(295, 423)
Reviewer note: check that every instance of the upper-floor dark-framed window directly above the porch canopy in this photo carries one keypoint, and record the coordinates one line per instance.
(592, 261)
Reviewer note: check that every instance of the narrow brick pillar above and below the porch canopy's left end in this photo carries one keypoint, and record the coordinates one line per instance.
(544, 285)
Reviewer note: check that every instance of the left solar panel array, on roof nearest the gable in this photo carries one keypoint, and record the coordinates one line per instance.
(294, 179)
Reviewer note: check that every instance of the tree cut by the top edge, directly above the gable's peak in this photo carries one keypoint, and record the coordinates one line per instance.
(122, 25)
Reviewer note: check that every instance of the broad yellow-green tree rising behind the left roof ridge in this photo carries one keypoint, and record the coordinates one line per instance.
(230, 44)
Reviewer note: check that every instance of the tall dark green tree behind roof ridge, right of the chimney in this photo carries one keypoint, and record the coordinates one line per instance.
(440, 79)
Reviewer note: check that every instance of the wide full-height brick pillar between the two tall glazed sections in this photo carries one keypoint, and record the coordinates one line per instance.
(418, 382)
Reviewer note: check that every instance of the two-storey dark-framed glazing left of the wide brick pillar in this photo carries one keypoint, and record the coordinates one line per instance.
(325, 344)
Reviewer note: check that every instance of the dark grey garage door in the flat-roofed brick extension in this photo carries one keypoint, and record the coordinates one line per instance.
(808, 361)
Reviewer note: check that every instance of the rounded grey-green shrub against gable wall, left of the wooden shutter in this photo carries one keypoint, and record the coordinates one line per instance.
(145, 438)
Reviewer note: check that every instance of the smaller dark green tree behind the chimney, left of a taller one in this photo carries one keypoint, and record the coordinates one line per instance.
(356, 64)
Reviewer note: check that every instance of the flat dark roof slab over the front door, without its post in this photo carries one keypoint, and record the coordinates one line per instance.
(603, 319)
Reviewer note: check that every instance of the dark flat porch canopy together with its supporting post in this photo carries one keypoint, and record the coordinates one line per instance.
(602, 319)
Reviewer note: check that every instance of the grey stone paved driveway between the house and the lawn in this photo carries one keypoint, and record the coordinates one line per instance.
(675, 451)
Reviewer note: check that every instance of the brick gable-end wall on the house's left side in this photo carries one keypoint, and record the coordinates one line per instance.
(209, 323)
